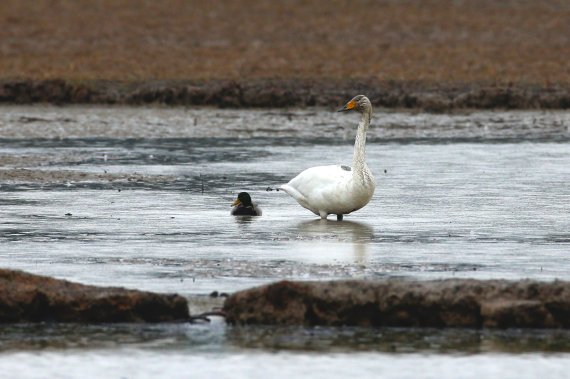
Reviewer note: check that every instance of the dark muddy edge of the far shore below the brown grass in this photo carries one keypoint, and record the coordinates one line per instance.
(282, 93)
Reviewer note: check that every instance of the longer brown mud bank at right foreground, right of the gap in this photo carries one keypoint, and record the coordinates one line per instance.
(402, 303)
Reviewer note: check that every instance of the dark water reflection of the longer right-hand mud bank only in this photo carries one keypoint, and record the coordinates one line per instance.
(398, 340)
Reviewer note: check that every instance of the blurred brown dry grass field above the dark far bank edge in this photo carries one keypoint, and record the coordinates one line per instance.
(438, 41)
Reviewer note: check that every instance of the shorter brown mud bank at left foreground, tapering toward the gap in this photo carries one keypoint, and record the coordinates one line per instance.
(32, 298)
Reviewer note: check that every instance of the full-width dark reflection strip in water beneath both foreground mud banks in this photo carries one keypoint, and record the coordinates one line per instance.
(217, 337)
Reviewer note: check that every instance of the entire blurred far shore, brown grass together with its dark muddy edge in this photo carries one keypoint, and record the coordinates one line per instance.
(436, 55)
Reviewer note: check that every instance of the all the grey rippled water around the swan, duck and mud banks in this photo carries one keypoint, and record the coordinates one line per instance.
(141, 198)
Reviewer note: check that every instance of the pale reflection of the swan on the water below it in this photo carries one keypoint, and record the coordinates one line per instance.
(324, 241)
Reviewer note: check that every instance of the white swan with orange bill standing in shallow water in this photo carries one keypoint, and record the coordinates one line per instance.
(338, 189)
